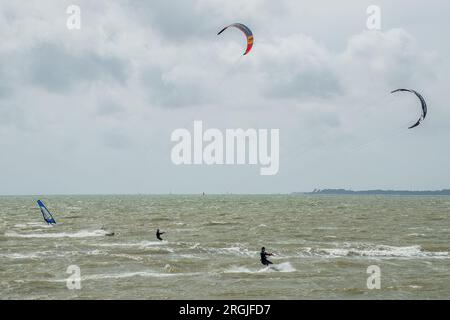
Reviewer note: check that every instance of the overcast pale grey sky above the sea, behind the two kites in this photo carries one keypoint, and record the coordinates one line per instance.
(92, 110)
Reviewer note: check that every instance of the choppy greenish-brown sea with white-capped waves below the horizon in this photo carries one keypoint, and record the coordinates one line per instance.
(323, 246)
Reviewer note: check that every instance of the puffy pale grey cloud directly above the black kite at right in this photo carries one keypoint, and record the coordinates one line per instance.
(389, 59)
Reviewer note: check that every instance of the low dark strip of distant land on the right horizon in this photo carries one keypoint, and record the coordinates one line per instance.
(444, 192)
